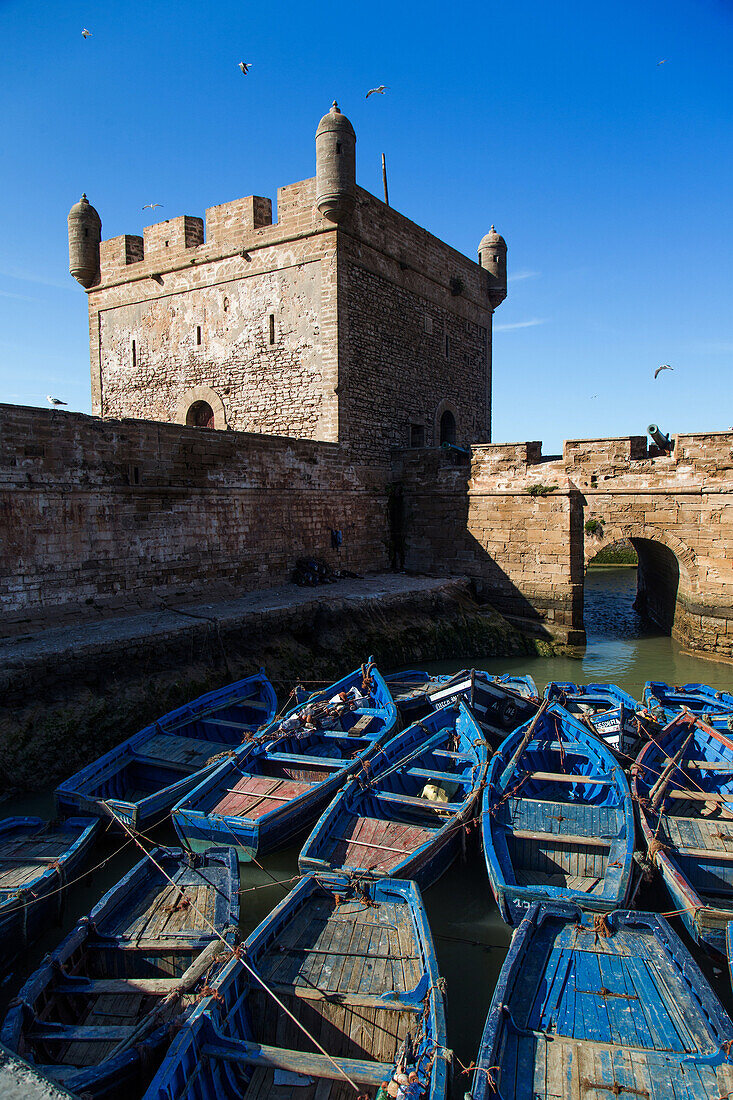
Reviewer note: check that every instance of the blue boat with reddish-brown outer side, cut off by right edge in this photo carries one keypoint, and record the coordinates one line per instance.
(684, 785)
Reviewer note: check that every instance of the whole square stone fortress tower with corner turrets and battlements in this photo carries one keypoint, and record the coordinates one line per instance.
(343, 322)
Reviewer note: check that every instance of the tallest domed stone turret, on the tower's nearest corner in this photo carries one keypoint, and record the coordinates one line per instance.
(336, 166)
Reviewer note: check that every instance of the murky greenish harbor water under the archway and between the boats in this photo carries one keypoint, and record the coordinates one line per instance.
(471, 938)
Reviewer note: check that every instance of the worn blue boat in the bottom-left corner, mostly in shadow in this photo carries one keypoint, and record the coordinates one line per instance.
(96, 1016)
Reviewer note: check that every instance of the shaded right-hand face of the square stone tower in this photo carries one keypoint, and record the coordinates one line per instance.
(415, 334)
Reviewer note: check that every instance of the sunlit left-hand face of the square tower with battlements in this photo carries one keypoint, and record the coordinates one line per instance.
(245, 320)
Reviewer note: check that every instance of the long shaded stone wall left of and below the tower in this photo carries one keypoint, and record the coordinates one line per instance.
(105, 514)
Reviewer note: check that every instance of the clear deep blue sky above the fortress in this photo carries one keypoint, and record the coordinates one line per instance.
(609, 174)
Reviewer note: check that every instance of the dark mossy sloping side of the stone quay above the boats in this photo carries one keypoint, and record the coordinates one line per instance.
(78, 717)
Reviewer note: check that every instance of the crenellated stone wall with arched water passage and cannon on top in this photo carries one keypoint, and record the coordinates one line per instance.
(517, 522)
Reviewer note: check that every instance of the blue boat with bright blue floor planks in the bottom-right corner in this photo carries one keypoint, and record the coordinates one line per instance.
(596, 1009)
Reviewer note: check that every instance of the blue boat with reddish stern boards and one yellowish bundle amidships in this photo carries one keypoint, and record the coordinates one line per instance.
(407, 816)
